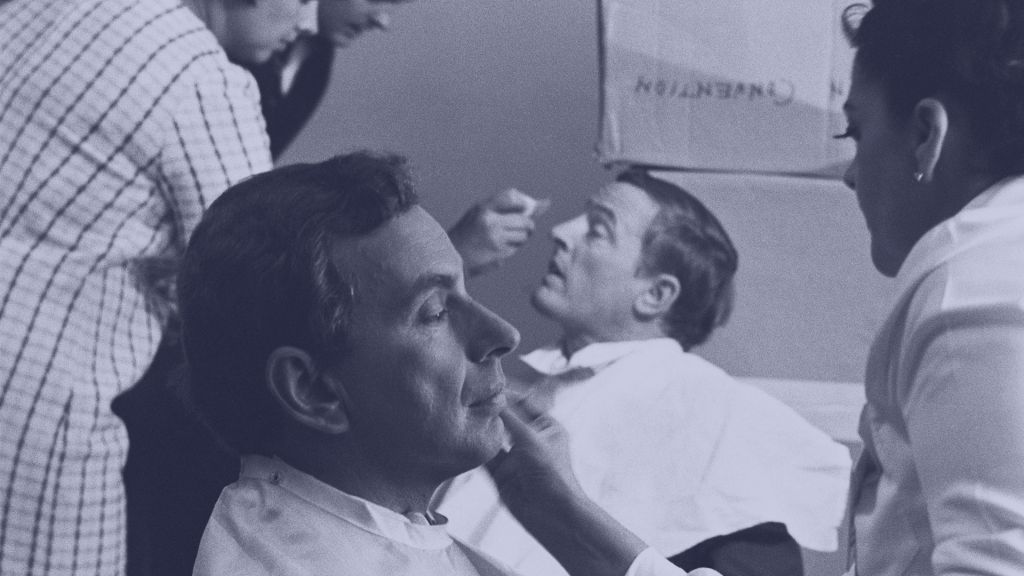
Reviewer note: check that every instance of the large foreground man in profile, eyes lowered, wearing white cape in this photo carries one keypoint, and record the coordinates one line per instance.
(331, 341)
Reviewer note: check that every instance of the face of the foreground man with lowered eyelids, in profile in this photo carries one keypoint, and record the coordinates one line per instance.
(422, 374)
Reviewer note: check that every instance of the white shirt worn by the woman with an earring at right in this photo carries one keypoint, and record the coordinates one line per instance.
(940, 489)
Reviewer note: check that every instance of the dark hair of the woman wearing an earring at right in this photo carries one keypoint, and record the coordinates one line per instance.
(970, 51)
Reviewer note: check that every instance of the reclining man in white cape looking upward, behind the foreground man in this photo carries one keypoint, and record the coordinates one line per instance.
(703, 468)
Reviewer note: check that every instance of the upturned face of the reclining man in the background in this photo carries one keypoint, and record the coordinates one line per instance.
(592, 278)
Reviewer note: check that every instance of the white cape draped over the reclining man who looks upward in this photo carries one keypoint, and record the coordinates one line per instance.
(672, 447)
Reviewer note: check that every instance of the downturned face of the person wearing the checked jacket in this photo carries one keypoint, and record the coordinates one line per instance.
(255, 32)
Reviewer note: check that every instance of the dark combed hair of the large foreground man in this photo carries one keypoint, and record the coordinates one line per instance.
(259, 275)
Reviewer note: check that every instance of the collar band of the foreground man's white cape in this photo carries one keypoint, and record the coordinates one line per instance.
(362, 513)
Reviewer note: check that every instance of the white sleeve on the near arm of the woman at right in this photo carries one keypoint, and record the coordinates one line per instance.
(965, 415)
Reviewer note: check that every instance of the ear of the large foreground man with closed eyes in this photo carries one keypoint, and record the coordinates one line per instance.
(305, 393)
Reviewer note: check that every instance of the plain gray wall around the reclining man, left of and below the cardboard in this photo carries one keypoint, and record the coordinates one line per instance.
(487, 95)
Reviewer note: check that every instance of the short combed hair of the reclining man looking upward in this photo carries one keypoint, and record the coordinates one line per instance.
(686, 240)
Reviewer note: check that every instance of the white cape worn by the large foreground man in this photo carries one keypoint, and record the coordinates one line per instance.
(281, 522)
